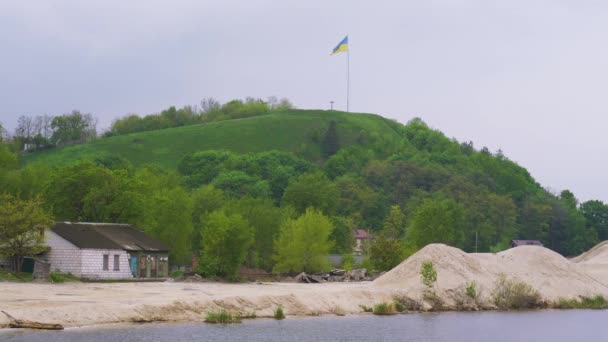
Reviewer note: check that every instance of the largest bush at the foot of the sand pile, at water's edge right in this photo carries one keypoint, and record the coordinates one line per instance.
(514, 294)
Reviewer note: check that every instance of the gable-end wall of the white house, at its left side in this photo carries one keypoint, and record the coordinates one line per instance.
(63, 256)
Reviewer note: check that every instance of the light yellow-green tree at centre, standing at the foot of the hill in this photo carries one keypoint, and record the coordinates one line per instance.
(304, 244)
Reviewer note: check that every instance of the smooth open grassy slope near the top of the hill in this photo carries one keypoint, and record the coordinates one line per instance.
(293, 131)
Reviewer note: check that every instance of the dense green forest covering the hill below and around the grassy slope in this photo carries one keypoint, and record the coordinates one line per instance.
(284, 210)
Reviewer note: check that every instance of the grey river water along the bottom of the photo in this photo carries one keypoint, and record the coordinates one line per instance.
(545, 325)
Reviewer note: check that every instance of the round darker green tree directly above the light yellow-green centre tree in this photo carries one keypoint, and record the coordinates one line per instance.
(311, 190)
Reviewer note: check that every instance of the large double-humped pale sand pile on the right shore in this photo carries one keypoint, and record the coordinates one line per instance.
(551, 274)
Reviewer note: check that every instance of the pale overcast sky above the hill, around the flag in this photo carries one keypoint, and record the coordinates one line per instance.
(528, 77)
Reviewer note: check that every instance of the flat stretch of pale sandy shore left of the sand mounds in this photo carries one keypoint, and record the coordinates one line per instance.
(75, 304)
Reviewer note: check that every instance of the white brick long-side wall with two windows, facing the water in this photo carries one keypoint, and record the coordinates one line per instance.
(92, 264)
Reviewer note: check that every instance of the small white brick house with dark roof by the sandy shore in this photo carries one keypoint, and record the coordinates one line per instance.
(105, 251)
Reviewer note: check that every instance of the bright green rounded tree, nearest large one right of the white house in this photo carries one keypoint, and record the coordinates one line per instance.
(226, 240)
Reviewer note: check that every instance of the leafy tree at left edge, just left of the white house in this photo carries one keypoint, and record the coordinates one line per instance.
(22, 226)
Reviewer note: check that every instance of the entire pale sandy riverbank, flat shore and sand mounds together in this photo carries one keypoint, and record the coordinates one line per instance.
(81, 304)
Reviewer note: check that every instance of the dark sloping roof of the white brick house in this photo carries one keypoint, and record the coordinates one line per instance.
(107, 236)
